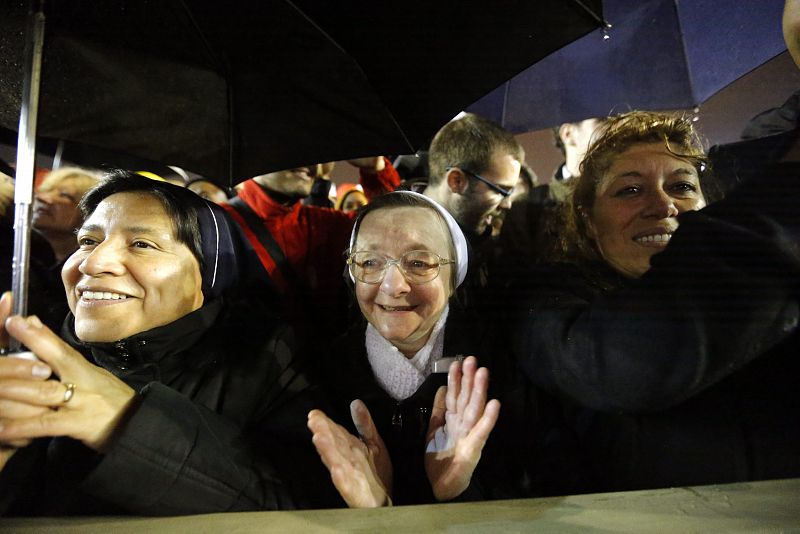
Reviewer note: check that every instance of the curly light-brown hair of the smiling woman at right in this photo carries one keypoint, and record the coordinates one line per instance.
(617, 135)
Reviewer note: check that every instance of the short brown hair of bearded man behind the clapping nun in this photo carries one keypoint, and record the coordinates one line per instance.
(469, 142)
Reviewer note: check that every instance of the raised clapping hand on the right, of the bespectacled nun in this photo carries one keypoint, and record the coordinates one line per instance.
(461, 421)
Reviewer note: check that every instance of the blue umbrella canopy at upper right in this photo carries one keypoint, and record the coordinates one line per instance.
(658, 55)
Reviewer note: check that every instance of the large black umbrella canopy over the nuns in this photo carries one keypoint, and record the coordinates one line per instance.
(231, 90)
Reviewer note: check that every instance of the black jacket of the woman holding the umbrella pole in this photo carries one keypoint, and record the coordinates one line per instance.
(219, 426)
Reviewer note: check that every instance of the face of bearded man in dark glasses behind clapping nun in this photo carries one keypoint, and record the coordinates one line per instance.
(479, 204)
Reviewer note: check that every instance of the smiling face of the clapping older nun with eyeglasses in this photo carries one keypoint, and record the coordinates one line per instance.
(403, 313)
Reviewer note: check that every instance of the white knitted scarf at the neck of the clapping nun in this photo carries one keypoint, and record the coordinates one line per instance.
(399, 376)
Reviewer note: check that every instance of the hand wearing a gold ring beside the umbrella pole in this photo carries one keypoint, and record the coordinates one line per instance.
(88, 403)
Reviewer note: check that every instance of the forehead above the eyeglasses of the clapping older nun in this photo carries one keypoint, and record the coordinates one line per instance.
(404, 228)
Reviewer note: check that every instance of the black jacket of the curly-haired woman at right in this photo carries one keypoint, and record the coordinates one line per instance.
(689, 373)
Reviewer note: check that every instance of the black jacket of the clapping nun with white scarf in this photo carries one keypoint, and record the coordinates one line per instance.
(347, 375)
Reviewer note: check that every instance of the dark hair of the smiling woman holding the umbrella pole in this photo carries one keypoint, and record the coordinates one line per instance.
(181, 205)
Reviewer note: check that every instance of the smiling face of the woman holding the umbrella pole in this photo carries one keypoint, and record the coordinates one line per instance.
(130, 273)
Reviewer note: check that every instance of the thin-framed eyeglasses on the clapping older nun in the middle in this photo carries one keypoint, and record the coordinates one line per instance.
(417, 266)
